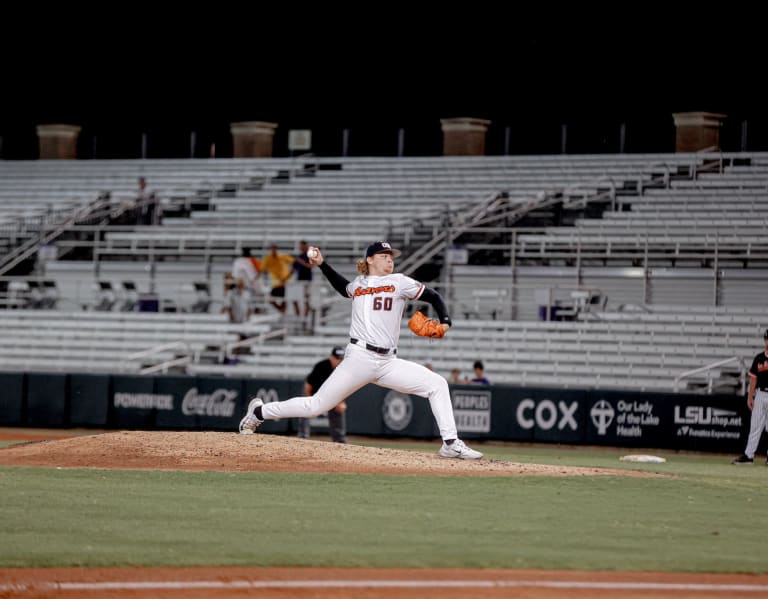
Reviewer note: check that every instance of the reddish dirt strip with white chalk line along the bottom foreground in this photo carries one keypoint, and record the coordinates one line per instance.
(359, 583)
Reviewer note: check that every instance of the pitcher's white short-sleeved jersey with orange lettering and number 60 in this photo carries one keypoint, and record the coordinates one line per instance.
(377, 307)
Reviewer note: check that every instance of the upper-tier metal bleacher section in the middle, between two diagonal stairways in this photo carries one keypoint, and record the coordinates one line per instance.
(341, 204)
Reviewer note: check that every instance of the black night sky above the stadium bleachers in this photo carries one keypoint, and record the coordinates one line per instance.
(328, 70)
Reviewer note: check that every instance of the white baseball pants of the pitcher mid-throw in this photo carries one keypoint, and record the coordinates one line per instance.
(360, 367)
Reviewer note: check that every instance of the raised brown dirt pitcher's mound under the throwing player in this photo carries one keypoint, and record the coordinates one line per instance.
(142, 450)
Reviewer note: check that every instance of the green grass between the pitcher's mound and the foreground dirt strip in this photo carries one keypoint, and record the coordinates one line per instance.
(709, 517)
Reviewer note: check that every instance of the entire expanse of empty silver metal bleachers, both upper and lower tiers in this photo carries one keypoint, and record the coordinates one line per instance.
(676, 263)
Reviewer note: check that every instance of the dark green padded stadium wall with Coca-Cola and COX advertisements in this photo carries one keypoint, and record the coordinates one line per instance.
(681, 421)
